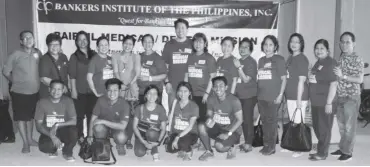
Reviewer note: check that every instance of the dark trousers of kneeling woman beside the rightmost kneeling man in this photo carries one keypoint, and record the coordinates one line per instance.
(184, 143)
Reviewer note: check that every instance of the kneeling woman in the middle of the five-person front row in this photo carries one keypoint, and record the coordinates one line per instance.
(149, 124)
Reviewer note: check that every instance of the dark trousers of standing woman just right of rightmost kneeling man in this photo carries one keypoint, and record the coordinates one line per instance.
(248, 110)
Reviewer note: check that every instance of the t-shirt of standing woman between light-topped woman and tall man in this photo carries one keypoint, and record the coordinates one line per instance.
(151, 65)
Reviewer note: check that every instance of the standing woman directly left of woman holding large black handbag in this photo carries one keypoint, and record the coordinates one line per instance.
(271, 86)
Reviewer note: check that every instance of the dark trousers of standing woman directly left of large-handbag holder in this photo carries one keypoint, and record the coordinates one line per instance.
(268, 111)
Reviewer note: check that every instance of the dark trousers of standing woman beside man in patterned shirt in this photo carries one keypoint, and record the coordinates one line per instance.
(322, 124)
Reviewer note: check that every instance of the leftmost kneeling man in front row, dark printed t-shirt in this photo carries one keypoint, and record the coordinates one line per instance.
(56, 121)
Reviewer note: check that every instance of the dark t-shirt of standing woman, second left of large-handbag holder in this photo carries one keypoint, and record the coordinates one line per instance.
(247, 90)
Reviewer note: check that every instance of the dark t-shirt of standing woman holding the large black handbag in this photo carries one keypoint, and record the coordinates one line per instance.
(297, 66)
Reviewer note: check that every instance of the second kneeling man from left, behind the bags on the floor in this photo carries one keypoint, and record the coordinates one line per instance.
(110, 116)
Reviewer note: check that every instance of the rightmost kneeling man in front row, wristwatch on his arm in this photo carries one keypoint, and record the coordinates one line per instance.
(224, 121)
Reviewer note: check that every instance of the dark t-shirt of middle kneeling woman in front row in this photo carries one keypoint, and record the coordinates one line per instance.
(154, 118)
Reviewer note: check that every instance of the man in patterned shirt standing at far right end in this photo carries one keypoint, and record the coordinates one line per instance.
(350, 73)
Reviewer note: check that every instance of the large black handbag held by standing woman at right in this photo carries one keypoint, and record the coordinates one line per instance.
(296, 137)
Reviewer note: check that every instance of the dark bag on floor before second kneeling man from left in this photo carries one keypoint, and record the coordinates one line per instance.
(101, 152)
